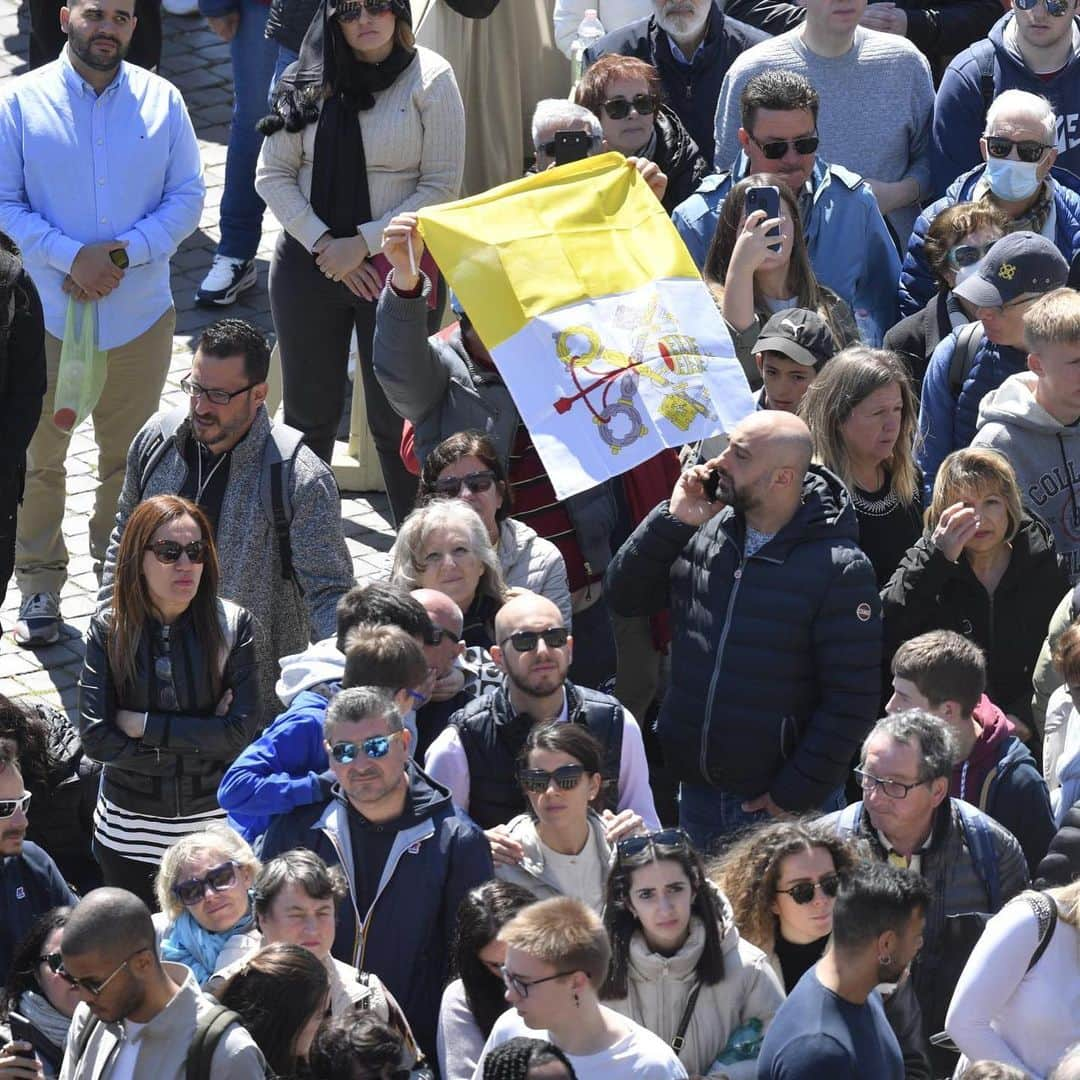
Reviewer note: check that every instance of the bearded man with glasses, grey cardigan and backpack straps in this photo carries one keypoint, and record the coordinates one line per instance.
(224, 453)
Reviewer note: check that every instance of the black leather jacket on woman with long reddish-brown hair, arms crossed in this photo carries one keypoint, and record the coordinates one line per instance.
(175, 768)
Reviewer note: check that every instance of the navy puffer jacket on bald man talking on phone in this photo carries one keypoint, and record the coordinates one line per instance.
(776, 659)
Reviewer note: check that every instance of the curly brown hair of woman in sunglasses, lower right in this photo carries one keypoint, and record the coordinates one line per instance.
(748, 873)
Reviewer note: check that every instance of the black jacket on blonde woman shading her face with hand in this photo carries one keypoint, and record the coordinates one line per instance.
(928, 592)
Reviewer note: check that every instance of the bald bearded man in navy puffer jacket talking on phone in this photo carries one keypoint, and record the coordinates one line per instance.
(777, 629)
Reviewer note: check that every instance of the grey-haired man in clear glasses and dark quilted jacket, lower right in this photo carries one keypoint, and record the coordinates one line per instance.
(971, 865)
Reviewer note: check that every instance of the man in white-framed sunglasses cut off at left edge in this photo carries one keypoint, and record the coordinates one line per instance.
(31, 883)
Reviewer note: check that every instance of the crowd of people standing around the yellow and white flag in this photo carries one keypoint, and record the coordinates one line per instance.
(760, 760)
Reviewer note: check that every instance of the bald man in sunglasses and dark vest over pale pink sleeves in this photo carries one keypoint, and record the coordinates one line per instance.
(477, 755)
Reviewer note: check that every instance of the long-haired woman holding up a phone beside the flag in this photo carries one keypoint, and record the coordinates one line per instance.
(753, 275)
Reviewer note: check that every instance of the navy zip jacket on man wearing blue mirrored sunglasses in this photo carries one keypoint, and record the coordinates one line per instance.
(404, 938)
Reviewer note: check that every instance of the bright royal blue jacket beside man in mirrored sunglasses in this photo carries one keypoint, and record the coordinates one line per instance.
(280, 772)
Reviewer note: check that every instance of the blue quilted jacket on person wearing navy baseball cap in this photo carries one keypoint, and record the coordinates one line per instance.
(948, 423)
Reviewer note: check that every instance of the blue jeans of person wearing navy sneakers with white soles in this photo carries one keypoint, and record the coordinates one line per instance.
(253, 64)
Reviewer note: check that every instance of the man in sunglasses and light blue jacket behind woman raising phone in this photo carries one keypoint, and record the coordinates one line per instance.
(850, 248)
